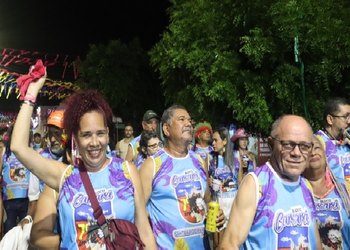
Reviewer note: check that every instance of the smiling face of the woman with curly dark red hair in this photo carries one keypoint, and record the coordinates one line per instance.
(93, 140)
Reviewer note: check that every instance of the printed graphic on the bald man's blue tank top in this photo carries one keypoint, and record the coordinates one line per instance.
(291, 228)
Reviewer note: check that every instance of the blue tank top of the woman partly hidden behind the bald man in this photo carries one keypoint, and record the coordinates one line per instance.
(334, 223)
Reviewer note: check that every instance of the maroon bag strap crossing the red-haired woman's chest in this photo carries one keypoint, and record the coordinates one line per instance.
(98, 212)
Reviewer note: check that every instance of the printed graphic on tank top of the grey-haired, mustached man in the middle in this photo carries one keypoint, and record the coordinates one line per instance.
(189, 193)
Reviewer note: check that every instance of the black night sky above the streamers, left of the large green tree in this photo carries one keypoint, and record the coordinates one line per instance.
(60, 26)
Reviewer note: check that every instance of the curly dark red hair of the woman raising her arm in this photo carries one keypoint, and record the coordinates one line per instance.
(80, 103)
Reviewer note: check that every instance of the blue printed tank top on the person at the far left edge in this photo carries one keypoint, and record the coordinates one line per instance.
(15, 178)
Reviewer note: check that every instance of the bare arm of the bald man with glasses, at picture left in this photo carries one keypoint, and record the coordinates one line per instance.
(241, 216)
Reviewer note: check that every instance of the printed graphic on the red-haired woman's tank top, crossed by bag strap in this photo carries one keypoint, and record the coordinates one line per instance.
(89, 234)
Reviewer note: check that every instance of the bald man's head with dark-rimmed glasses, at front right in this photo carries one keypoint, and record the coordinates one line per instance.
(289, 155)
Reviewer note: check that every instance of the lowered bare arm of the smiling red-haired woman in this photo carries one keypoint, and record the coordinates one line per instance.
(141, 218)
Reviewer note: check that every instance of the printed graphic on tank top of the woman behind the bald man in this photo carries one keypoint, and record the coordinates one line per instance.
(330, 224)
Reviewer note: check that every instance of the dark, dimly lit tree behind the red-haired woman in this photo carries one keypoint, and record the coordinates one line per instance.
(122, 73)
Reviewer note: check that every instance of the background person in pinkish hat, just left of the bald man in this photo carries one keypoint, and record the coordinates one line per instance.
(245, 161)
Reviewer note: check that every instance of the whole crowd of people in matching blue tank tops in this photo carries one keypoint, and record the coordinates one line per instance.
(163, 179)
